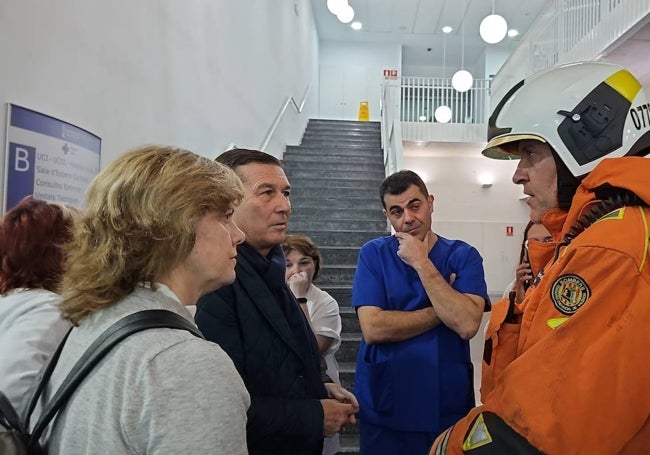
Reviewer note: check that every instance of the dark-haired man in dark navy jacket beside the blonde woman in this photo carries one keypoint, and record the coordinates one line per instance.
(258, 322)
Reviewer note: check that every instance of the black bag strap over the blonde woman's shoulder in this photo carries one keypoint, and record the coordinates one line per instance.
(126, 326)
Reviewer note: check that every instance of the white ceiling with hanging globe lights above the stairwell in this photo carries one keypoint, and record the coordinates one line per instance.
(417, 26)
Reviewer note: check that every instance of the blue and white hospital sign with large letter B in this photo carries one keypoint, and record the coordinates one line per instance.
(48, 158)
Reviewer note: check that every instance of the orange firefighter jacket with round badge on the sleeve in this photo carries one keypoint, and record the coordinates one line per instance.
(579, 382)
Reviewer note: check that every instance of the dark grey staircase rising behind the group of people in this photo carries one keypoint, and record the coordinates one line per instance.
(335, 176)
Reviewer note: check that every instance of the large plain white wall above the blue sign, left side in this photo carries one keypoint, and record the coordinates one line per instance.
(199, 74)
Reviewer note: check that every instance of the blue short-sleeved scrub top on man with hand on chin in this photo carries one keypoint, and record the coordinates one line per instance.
(424, 383)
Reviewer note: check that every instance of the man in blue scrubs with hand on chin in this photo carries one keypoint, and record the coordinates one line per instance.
(420, 298)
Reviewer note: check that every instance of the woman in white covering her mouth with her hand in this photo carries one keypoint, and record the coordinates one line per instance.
(320, 308)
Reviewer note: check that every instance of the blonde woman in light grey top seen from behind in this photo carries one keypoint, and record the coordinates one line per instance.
(157, 234)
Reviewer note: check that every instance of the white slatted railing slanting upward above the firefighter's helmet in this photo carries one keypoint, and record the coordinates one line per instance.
(568, 31)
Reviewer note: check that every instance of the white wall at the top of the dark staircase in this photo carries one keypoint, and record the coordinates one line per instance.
(351, 73)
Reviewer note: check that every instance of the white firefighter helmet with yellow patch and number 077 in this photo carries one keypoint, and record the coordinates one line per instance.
(585, 111)
